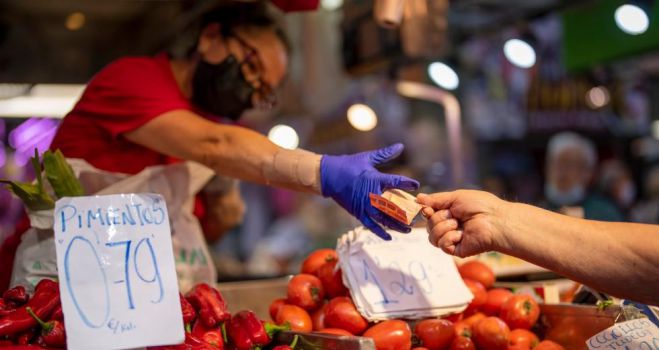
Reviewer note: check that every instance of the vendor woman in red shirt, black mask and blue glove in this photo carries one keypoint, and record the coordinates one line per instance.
(140, 112)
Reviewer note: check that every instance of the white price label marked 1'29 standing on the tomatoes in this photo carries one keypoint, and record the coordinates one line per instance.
(405, 277)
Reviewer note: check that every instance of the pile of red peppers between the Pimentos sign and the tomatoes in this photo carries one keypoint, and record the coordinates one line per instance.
(210, 326)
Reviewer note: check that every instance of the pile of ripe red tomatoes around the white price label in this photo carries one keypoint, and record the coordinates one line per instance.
(496, 319)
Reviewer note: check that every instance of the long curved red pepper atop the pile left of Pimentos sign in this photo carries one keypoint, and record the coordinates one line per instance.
(43, 302)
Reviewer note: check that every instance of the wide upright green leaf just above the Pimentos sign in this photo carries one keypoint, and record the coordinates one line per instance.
(61, 176)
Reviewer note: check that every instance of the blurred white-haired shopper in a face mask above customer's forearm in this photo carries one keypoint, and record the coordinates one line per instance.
(571, 162)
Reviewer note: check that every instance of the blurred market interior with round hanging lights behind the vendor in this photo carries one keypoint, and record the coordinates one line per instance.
(475, 89)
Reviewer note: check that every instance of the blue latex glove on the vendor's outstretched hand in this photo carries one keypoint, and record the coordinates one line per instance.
(348, 179)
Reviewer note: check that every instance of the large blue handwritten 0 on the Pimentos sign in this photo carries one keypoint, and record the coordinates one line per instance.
(67, 275)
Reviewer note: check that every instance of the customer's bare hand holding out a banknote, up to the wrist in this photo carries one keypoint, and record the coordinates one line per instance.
(464, 222)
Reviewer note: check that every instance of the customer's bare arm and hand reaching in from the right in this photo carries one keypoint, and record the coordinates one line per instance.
(621, 259)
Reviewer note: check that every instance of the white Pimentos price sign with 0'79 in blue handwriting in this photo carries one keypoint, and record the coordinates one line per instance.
(116, 271)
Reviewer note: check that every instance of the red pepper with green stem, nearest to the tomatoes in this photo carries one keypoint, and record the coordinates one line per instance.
(246, 331)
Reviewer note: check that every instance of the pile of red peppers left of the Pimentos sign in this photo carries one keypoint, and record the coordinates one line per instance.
(22, 324)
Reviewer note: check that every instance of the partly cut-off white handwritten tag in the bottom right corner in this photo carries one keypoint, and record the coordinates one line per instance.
(636, 334)
